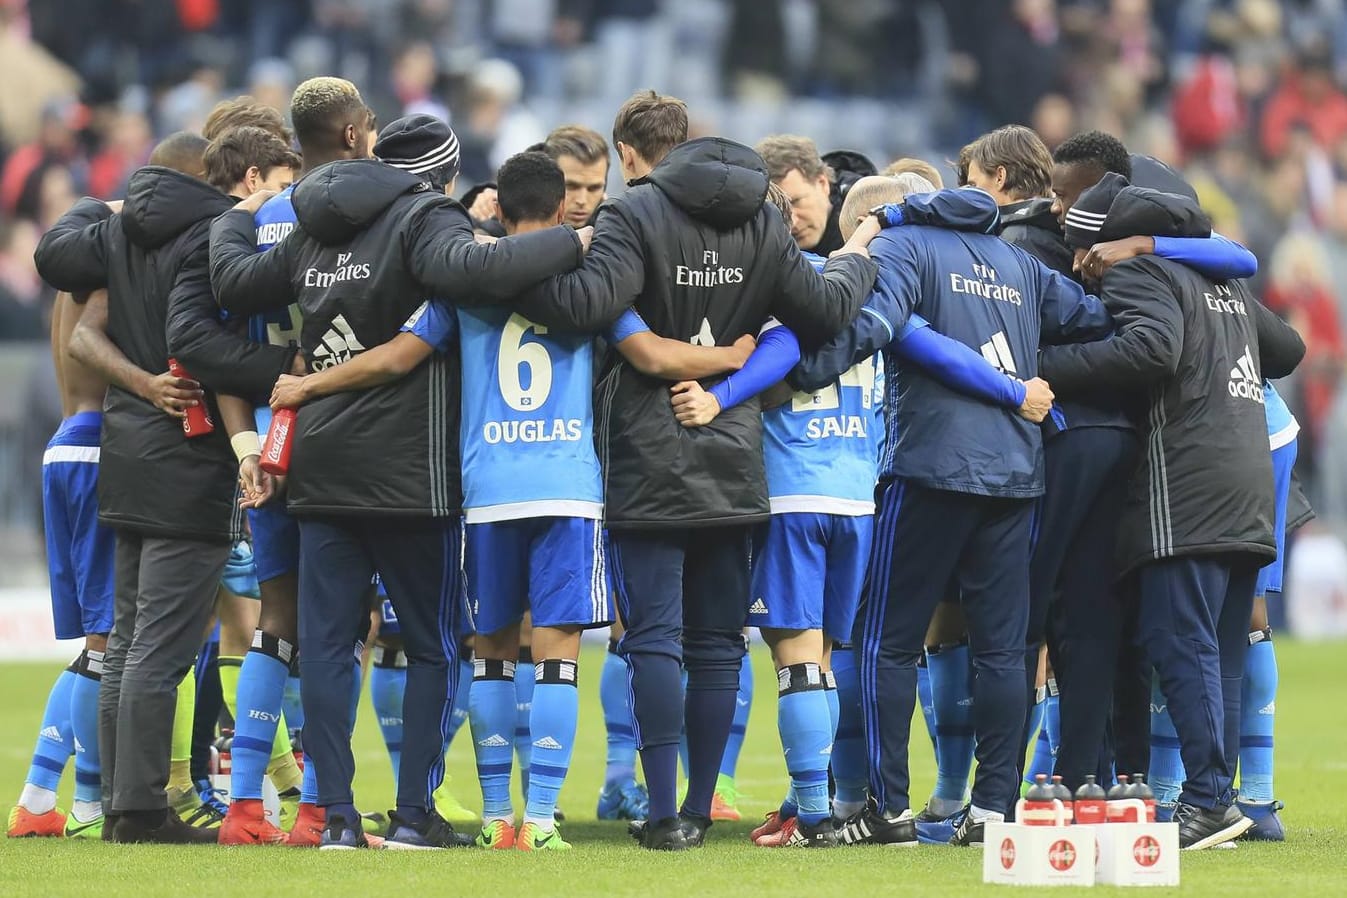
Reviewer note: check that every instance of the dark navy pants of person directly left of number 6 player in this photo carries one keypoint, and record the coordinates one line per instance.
(420, 561)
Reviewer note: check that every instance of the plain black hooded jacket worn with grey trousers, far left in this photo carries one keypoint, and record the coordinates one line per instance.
(153, 480)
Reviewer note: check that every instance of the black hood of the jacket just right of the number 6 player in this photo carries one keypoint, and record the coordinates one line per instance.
(713, 180)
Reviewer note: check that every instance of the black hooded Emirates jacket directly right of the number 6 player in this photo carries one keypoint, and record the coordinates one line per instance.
(704, 261)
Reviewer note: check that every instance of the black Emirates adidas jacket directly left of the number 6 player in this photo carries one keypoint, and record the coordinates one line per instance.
(371, 246)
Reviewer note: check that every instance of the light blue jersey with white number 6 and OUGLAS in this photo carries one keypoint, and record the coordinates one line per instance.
(529, 418)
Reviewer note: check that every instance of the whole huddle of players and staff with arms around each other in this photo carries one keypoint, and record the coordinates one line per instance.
(817, 413)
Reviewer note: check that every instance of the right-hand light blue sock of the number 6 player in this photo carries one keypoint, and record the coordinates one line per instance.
(557, 705)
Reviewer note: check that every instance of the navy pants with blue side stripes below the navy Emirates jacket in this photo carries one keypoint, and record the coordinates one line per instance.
(925, 541)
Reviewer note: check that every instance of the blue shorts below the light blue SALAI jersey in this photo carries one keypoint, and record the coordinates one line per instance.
(809, 570)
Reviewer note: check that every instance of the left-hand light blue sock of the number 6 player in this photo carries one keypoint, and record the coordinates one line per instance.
(491, 709)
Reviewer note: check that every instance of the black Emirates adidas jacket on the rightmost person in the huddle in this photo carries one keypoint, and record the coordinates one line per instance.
(1198, 351)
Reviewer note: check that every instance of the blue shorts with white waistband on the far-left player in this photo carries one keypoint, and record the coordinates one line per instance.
(80, 550)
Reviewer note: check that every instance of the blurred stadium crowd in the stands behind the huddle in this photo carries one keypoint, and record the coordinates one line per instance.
(1245, 96)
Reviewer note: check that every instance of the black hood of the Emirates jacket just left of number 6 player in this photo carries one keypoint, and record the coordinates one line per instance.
(337, 201)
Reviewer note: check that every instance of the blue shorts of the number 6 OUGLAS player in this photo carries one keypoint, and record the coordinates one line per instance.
(553, 567)
